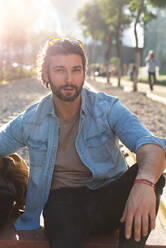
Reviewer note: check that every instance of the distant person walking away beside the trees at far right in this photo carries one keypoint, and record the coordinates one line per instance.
(151, 63)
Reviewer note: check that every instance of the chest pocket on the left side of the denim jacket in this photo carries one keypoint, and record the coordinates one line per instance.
(37, 152)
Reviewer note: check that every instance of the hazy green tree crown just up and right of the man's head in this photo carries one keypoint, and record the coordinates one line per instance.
(100, 17)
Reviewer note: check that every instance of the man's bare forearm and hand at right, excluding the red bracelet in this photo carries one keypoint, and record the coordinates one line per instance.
(141, 203)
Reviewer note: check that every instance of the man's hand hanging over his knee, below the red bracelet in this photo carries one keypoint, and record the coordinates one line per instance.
(139, 211)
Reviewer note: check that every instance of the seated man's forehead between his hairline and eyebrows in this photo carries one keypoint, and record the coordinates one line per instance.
(66, 59)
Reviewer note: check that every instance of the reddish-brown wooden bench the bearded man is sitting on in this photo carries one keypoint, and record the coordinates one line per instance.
(10, 238)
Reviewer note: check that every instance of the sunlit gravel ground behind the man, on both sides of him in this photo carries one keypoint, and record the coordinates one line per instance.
(16, 96)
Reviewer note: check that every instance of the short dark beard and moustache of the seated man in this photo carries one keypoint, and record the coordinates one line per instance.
(66, 98)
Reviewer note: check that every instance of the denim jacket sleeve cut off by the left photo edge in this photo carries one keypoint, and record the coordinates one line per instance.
(11, 136)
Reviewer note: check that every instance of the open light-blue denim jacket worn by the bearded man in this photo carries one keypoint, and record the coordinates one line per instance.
(103, 121)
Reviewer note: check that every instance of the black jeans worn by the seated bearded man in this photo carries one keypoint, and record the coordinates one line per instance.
(71, 215)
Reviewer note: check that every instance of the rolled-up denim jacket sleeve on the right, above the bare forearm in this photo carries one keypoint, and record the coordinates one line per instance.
(130, 130)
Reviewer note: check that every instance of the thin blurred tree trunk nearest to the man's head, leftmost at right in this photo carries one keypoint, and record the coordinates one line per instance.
(107, 56)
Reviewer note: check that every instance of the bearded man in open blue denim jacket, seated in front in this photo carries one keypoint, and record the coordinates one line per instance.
(78, 176)
